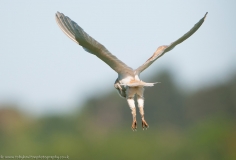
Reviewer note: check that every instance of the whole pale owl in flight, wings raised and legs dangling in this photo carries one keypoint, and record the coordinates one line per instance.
(128, 83)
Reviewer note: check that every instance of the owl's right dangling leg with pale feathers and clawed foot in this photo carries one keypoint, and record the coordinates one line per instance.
(140, 100)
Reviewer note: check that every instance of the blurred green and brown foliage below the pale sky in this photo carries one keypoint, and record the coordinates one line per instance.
(195, 125)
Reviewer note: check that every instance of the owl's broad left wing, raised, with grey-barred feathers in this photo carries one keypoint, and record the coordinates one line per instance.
(79, 36)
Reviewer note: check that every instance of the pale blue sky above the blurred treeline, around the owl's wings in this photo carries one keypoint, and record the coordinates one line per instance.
(44, 71)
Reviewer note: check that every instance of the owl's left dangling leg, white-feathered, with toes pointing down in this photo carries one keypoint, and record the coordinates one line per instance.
(130, 100)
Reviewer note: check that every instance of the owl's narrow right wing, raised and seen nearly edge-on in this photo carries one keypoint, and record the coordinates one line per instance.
(166, 48)
